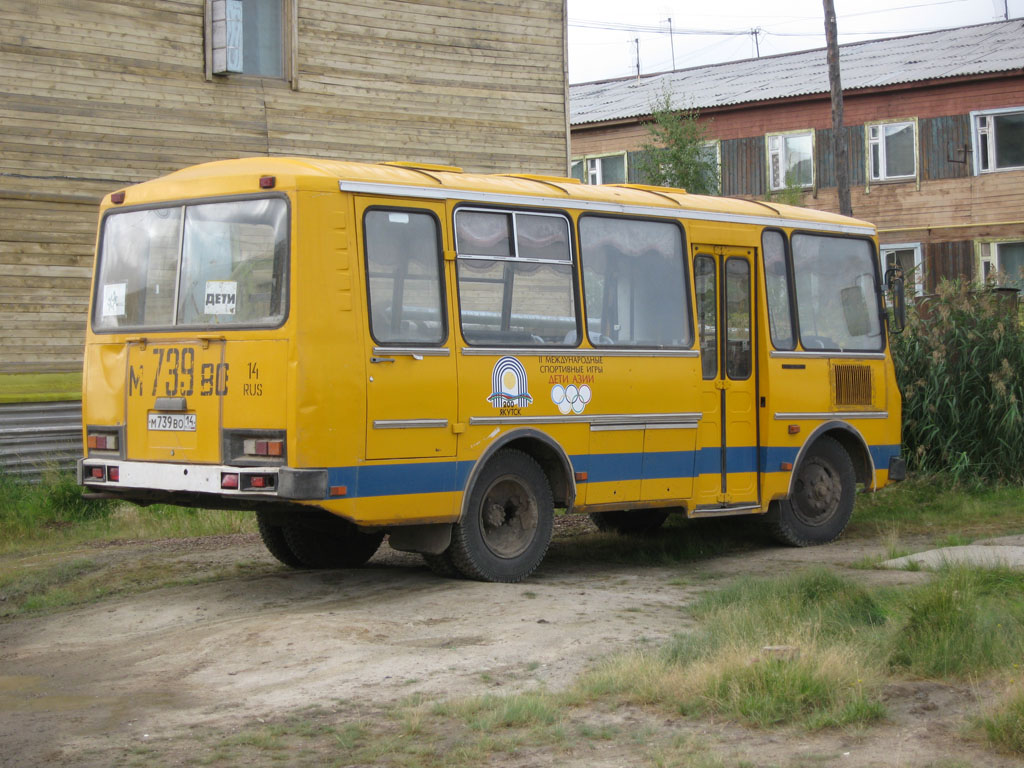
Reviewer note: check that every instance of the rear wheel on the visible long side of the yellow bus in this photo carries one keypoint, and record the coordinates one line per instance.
(506, 530)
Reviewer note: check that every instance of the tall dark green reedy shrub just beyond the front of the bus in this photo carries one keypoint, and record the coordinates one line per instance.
(959, 365)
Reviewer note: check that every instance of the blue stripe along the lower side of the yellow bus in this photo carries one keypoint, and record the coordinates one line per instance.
(440, 478)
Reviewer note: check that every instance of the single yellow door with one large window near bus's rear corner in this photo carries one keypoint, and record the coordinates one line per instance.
(411, 371)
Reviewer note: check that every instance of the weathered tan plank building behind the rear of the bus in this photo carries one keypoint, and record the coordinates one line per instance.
(99, 95)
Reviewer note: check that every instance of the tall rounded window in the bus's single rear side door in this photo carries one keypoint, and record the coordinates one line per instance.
(404, 274)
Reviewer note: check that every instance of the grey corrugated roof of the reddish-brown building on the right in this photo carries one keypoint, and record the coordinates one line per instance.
(963, 52)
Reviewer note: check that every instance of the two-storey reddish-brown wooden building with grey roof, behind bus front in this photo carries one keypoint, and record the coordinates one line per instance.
(934, 125)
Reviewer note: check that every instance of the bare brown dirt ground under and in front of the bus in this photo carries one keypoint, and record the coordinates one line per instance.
(87, 686)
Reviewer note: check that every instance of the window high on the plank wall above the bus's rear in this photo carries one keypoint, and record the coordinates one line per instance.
(250, 37)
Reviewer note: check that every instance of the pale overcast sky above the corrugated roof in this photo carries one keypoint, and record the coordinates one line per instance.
(604, 33)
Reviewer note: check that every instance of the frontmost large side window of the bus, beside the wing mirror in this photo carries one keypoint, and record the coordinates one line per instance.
(837, 293)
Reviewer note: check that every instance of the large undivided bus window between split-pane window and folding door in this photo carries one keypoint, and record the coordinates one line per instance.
(634, 283)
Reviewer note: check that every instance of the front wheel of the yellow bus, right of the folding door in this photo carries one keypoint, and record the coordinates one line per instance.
(822, 503)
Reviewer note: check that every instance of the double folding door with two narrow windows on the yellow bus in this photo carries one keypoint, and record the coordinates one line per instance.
(729, 459)
